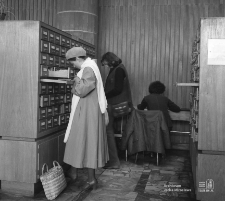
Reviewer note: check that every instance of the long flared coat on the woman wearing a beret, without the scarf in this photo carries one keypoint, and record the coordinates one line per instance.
(87, 142)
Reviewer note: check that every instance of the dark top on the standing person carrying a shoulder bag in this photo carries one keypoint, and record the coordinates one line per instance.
(111, 83)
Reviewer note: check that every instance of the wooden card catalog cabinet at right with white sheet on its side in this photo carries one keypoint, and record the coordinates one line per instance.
(207, 143)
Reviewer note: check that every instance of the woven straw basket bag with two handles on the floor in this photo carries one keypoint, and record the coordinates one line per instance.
(53, 180)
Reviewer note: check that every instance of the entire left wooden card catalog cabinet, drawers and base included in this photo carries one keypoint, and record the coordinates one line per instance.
(35, 101)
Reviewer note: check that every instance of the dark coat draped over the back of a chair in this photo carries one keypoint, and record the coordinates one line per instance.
(146, 131)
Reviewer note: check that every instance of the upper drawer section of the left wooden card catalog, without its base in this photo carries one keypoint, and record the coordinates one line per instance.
(31, 53)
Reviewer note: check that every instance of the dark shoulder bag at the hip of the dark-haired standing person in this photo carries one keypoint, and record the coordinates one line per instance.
(121, 109)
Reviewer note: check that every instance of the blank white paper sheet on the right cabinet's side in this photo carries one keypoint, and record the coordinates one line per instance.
(216, 51)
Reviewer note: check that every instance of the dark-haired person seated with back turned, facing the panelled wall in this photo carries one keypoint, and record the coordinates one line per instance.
(157, 101)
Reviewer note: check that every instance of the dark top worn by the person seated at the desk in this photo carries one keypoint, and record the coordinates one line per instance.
(159, 102)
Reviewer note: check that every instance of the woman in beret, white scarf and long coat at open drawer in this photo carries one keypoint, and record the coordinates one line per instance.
(86, 140)
